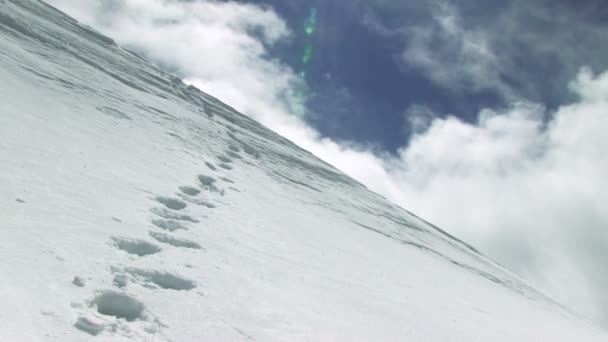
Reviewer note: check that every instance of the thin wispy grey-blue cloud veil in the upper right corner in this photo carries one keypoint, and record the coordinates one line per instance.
(511, 49)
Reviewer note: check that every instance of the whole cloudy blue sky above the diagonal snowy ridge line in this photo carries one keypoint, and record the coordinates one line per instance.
(487, 118)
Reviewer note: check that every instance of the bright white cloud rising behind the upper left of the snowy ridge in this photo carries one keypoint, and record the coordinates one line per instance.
(218, 46)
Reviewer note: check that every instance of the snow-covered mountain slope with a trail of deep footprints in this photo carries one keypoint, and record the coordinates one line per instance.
(138, 208)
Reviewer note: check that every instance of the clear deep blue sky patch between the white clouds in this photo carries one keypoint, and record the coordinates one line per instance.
(357, 89)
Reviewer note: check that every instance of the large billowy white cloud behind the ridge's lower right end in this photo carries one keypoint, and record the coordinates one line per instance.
(517, 186)
